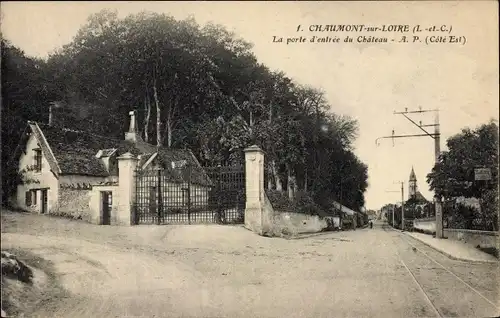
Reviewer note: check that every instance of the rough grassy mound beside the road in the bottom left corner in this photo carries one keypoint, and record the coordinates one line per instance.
(21, 297)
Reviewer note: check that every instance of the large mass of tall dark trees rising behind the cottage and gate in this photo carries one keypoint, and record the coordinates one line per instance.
(197, 87)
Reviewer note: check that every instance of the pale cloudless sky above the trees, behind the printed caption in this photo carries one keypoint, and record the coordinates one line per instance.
(367, 81)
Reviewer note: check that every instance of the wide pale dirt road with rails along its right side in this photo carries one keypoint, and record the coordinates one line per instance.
(227, 271)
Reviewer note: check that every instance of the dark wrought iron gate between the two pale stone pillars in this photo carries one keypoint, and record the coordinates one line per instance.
(187, 195)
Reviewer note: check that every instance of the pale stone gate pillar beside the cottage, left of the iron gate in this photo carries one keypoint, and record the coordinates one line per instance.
(127, 164)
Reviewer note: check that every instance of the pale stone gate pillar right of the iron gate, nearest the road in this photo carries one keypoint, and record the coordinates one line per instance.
(254, 185)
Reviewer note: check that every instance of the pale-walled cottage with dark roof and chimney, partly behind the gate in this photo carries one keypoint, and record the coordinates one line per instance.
(61, 169)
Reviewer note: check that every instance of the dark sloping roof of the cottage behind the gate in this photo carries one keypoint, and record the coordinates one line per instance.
(74, 152)
